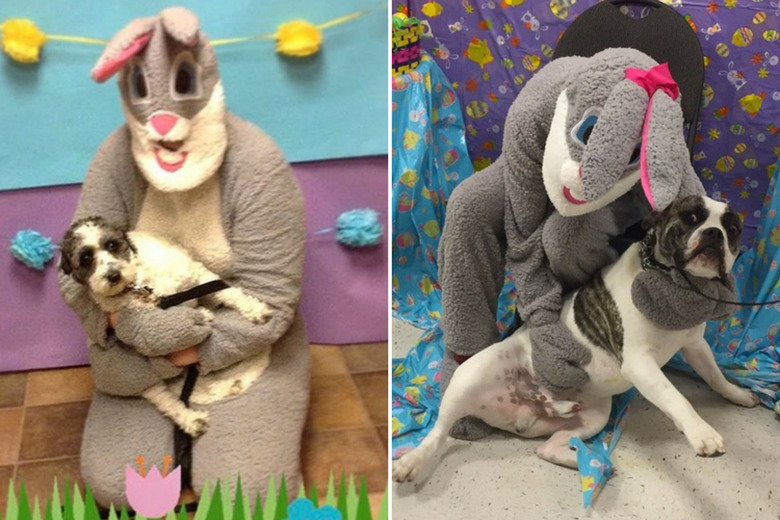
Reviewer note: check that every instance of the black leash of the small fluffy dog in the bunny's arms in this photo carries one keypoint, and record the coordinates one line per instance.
(182, 442)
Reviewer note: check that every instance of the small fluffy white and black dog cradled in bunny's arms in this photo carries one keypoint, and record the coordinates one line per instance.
(124, 269)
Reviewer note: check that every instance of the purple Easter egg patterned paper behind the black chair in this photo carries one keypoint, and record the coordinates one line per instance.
(489, 49)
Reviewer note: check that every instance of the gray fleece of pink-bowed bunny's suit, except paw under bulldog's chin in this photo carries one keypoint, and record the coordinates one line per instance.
(545, 256)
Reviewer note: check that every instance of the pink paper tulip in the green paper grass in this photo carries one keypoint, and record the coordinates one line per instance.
(153, 495)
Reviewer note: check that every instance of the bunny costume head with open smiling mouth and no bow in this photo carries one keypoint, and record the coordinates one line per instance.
(172, 98)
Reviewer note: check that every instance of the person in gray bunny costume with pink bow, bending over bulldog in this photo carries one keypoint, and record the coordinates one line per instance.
(591, 145)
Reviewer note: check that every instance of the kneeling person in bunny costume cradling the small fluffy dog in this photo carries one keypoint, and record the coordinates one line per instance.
(188, 170)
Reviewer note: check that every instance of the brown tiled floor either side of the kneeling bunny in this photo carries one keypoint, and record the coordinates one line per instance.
(42, 416)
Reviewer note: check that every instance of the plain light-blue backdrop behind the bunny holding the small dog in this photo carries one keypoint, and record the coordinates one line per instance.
(53, 116)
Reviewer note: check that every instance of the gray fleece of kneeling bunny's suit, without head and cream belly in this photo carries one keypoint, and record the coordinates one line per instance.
(262, 217)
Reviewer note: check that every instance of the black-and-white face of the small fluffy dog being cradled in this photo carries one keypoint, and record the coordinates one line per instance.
(99, 256)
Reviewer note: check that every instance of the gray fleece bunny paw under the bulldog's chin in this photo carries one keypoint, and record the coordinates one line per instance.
(665, 298)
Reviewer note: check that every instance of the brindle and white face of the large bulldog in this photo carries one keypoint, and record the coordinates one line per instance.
(699, 235)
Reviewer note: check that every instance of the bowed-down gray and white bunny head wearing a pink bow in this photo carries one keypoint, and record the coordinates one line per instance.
(618, 123)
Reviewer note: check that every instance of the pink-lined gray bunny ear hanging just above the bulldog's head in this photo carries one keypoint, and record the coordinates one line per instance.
(666, 168)
